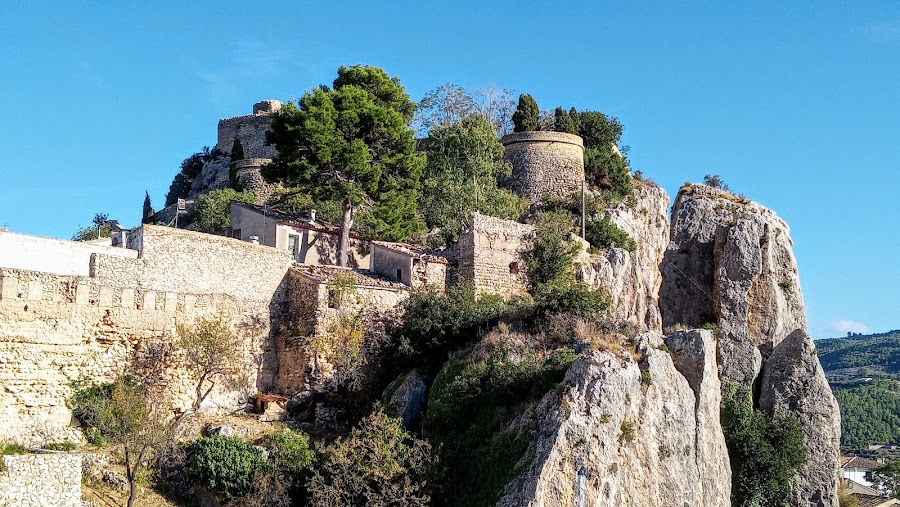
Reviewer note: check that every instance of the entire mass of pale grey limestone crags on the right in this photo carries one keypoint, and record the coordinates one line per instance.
(644, 428)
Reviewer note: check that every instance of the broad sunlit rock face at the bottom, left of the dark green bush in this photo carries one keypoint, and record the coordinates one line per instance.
(623, 434)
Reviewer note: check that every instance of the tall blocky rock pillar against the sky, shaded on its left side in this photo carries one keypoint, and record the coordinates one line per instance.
(730, 262)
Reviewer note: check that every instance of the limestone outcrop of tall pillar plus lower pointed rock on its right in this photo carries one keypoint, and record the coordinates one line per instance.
(730, 263)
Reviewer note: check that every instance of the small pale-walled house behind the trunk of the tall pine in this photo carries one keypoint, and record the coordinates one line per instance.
(312, 241)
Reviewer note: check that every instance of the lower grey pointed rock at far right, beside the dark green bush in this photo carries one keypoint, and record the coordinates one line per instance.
(794, 383)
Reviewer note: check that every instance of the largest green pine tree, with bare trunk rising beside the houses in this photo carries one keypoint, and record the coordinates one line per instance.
(352, 143)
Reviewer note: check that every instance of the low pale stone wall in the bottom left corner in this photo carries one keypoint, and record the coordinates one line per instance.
(40, 480)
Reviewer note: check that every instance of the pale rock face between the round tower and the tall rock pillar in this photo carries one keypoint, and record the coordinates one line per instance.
(633, 279)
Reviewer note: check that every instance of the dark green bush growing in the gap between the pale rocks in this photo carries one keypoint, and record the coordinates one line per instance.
(765, 451)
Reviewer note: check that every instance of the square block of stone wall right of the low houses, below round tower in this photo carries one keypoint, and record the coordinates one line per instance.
(492, 254)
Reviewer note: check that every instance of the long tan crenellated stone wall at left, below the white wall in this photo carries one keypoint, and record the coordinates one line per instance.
(122, 317)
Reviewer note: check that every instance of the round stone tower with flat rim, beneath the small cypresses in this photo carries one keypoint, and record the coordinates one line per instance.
(544, 163)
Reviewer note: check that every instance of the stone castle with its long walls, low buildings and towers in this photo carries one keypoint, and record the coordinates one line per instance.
(73, 309)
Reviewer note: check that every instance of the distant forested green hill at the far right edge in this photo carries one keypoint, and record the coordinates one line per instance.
(864, 373)
